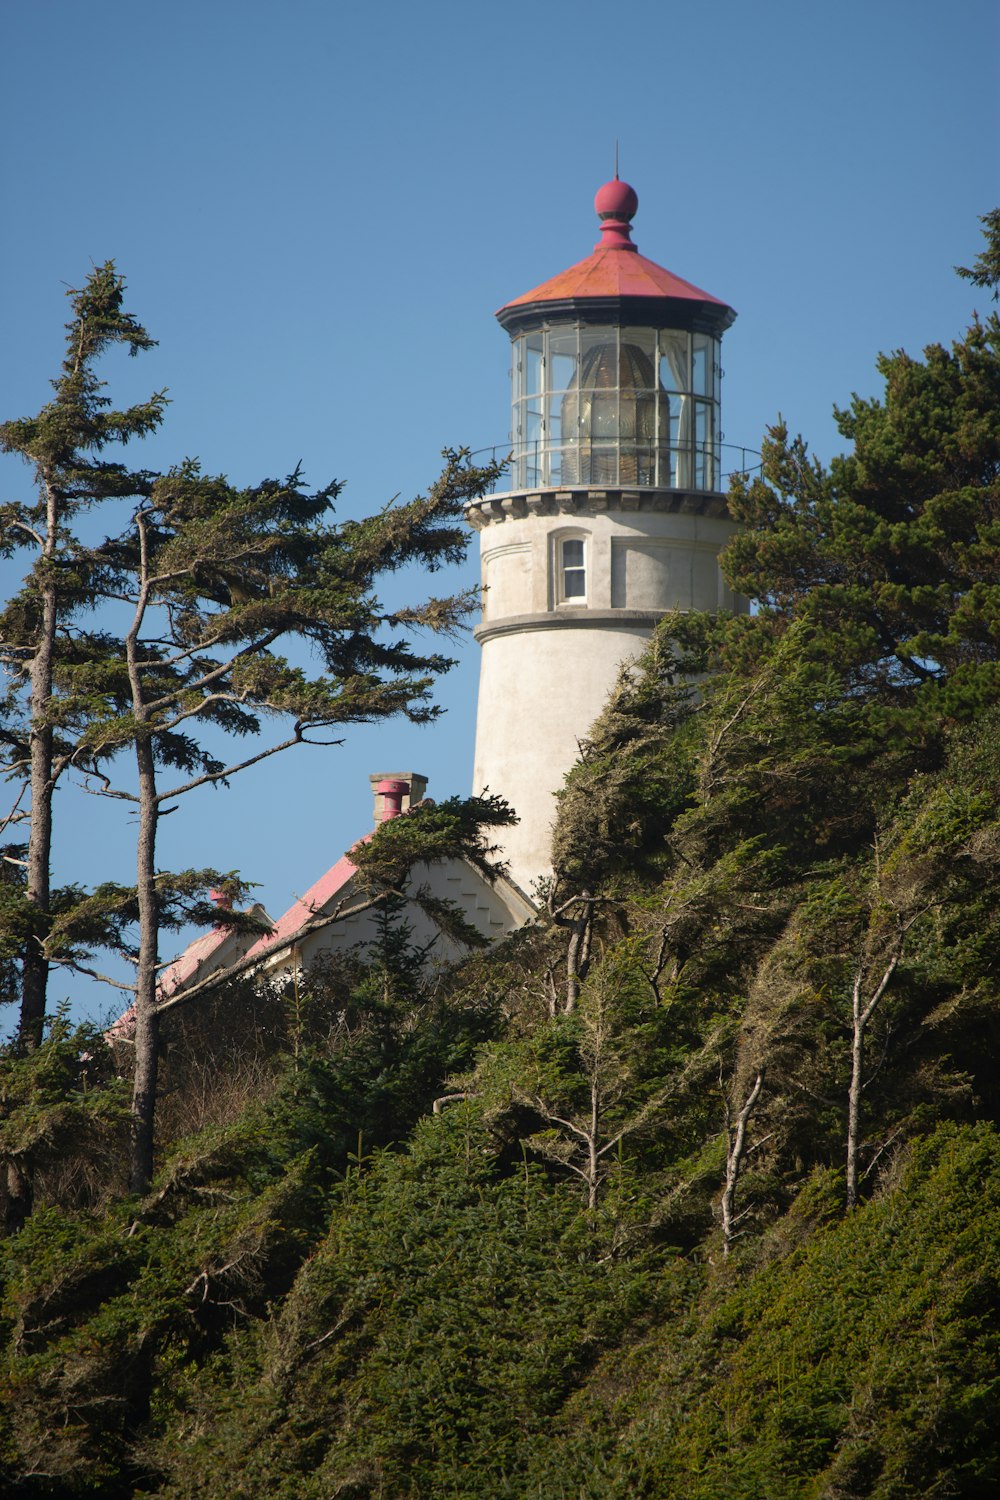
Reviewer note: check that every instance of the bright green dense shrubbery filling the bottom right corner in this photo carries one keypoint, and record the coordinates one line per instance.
(863, 1366)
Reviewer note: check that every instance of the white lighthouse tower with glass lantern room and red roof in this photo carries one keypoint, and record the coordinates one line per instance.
(615, 512)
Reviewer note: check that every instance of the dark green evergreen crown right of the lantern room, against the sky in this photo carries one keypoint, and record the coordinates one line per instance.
(891, 556)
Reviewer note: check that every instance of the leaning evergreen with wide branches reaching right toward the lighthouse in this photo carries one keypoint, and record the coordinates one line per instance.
(220, 584)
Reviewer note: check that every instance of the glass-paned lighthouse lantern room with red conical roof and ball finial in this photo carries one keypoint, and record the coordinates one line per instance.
(617, 371)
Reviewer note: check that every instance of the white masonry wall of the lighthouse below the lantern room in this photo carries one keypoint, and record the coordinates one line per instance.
(548, 665)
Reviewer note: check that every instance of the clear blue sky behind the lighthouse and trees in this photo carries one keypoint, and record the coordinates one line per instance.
(319, 209)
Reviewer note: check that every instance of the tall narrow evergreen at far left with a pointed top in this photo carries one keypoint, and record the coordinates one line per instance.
(40, 628)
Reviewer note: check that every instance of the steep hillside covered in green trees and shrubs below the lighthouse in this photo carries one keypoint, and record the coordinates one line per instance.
(693, 1189)
